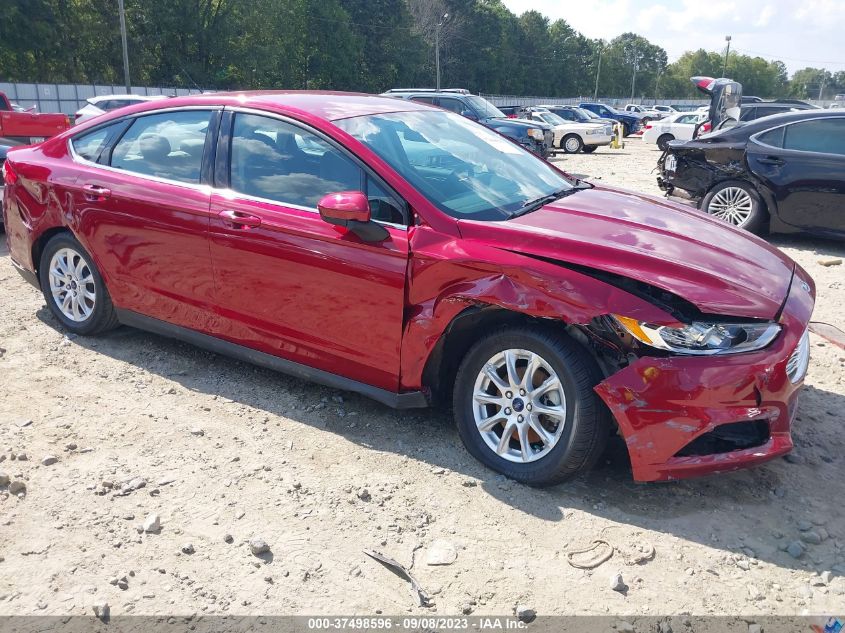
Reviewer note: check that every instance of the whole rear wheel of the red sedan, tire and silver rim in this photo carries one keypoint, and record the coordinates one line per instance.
(75, 283)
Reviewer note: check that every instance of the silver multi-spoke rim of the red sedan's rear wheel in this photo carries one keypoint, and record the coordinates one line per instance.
(72, 285)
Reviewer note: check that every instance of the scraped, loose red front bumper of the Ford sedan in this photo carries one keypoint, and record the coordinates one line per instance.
(662, 405)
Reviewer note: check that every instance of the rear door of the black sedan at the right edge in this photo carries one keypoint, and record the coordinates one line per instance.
(803, 164)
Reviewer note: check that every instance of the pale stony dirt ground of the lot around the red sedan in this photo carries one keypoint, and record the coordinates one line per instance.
(225, 448)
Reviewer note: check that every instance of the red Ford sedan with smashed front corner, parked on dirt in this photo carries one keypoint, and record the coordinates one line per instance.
(409, 254)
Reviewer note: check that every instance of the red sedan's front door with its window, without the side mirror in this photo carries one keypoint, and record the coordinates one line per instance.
(289, 284)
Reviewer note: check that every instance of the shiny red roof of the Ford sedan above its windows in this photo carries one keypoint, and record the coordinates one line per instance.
(327, 105)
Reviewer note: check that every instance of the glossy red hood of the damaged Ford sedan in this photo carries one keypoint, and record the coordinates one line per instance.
(718, 268)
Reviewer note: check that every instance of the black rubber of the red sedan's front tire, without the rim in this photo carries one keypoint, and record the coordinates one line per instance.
(566, 358)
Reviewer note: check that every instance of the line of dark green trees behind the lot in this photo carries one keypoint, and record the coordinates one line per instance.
(362, 45)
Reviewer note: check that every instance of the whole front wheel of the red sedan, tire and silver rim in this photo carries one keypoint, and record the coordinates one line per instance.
(575, 435)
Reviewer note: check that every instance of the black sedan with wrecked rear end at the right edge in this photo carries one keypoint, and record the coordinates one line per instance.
(783, 173)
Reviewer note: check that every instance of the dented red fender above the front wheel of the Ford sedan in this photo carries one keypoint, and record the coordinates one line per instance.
(447, 276)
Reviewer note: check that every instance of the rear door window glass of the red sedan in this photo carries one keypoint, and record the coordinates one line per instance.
(165, 145)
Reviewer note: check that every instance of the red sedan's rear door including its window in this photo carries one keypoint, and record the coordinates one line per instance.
(143, 208)
